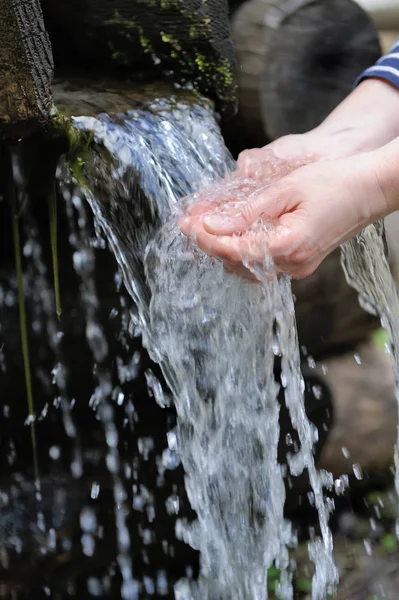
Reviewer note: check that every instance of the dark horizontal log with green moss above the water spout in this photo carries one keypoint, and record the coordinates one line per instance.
(186, 41)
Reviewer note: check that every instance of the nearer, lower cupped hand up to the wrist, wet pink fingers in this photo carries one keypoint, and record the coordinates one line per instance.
(311, 210)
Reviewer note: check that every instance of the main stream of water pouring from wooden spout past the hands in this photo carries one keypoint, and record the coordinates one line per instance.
(216, 338)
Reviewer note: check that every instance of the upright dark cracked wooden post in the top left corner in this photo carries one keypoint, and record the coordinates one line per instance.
(26, 67)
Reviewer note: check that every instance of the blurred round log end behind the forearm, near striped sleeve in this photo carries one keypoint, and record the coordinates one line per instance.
(298, 59)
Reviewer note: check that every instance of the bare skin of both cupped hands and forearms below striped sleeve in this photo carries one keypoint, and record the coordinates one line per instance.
(328, 185)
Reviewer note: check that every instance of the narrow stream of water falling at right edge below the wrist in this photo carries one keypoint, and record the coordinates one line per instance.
(364, 260)
